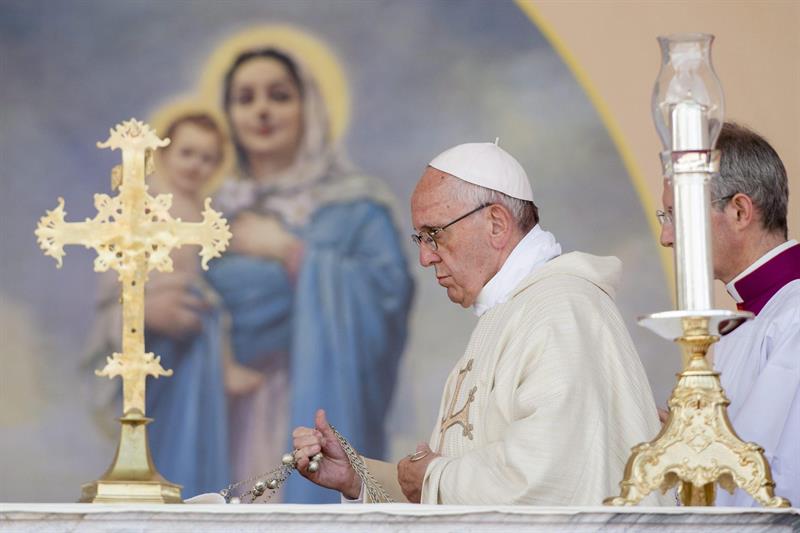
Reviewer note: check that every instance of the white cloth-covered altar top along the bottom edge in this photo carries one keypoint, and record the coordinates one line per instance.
(244, 518)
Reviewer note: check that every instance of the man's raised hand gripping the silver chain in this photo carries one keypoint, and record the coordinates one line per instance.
(334, 471)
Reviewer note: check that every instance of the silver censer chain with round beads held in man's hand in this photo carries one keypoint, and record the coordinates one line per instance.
(270, 482)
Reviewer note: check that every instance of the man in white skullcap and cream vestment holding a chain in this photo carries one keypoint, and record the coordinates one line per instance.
(550, 395)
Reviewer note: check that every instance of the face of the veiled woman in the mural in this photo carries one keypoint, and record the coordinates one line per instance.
(266, 109)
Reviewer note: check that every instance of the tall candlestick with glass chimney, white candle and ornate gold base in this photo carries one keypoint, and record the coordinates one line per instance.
(697, 447)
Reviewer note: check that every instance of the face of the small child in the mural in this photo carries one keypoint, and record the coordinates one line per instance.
(191, 157)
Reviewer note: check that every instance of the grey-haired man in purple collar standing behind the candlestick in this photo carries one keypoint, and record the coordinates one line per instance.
(760, 360)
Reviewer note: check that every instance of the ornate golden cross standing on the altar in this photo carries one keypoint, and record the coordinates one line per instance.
(133, 233)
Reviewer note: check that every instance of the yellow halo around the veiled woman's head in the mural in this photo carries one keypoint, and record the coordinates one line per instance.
(317, 58)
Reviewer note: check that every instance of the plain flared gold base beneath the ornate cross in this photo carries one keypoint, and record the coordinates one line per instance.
(132, 478)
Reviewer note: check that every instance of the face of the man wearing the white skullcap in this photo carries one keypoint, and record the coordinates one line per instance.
(463, 259)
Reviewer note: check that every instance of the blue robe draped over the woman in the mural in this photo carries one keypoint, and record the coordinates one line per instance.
(343, 323)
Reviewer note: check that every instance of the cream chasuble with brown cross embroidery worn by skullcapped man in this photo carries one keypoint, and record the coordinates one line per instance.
(549, 398)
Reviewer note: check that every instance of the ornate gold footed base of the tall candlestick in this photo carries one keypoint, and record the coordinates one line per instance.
(697, 447)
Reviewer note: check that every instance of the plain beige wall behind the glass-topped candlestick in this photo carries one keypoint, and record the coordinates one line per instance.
(756, 55)
